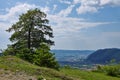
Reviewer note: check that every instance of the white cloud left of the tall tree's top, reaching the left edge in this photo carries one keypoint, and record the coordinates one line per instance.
(14, 12)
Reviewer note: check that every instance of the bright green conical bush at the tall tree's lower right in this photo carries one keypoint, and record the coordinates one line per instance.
(43, 57)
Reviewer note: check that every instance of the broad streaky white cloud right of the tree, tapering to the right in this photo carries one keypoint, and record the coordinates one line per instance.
(65, 25)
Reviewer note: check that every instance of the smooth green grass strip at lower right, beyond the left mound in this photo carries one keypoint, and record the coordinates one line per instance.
(87, 75)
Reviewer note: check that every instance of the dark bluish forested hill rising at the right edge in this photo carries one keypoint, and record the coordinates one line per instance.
(104, 56)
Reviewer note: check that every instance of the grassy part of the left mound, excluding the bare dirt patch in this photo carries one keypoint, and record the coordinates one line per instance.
(16, 65)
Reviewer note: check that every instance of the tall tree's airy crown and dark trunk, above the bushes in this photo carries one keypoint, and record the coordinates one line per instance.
(31, 30)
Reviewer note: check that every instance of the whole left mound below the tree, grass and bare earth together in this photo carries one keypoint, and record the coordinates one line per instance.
(13, 68)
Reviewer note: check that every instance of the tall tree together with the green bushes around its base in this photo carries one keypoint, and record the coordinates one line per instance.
(32, 38)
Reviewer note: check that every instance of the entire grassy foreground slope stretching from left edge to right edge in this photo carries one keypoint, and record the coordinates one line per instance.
(15, 65)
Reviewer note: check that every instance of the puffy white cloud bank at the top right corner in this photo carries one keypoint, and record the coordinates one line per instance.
(93, 6)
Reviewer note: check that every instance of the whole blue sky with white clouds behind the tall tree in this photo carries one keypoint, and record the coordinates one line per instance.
(77, 24)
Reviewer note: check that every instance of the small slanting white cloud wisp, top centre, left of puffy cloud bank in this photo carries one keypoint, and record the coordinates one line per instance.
(66, 11)
